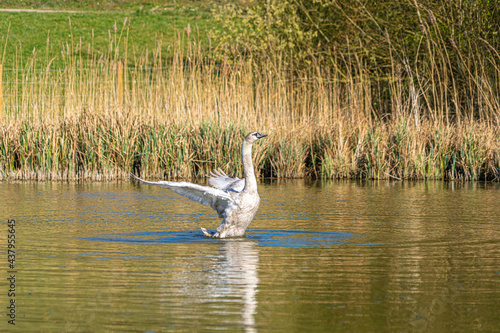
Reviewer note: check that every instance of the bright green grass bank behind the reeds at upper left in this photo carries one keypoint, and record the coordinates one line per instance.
(30, 31)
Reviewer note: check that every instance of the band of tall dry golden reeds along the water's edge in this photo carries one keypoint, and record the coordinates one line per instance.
(178, 114)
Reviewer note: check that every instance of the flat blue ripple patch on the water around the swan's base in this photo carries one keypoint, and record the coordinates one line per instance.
(282, 238)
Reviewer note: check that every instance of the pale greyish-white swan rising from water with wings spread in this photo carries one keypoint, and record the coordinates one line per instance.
(235, 200)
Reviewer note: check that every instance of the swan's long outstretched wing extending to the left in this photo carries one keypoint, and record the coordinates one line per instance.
(217, 199)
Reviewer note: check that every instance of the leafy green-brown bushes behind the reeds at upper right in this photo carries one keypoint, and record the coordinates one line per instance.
(311, 30)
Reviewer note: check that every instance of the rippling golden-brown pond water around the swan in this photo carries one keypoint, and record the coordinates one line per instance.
(319, 257)
